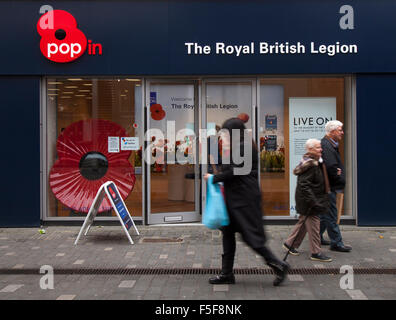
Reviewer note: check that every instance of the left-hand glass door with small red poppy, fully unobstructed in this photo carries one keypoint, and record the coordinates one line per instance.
(171, 163)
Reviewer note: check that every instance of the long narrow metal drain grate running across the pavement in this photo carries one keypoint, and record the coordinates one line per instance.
(181, 271)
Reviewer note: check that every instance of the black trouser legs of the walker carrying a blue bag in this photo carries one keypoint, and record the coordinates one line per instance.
(229, 246)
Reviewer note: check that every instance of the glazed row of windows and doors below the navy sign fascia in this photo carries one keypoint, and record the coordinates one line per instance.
(172, 189)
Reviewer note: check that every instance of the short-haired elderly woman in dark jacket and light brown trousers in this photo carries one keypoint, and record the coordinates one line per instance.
(312, 199)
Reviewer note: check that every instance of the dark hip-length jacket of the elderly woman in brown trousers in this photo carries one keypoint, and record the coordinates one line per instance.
(312, 191)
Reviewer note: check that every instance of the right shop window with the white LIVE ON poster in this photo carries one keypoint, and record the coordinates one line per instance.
(284, 101)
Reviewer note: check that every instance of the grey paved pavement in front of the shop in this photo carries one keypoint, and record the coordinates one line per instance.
(174, 262)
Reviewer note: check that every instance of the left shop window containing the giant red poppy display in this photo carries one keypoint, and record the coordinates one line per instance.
(87, 121)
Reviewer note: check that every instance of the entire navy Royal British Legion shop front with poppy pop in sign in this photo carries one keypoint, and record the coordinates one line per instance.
(136, 96)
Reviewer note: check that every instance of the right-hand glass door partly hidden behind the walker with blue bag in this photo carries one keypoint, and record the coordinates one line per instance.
(224, 99)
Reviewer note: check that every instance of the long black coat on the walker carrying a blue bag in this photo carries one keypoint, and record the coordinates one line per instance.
(243, 201)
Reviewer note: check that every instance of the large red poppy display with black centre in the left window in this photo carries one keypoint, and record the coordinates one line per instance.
(85, 163)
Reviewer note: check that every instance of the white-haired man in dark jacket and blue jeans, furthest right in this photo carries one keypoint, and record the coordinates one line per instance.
(336, 174)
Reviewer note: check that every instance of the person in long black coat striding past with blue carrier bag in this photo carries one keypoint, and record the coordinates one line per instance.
(243, 202)
